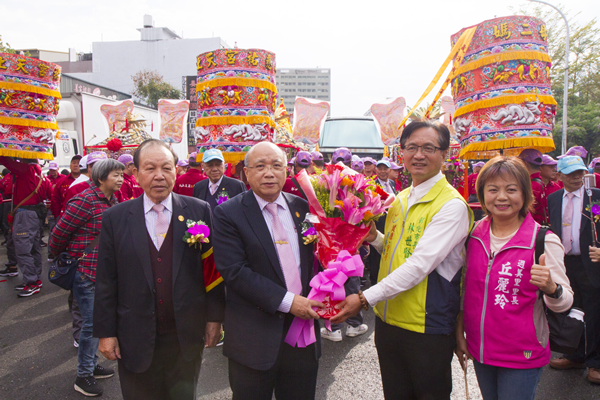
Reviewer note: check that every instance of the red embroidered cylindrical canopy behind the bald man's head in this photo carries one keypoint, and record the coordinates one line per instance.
(236, 100)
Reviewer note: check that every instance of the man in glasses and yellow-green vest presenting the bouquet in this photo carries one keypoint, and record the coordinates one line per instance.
(417, 295)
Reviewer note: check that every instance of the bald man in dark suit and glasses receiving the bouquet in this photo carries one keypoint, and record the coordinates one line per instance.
(267, 269)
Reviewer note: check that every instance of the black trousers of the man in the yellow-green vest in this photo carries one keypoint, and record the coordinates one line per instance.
(414, 365)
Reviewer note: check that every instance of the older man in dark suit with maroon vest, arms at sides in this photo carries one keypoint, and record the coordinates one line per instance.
(159, 301)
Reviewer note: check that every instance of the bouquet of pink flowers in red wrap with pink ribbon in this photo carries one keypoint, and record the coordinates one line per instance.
(342, 203)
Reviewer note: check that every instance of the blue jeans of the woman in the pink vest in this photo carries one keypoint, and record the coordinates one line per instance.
(497, 383)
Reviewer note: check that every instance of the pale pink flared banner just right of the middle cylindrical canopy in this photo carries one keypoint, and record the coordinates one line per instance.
(309, 118)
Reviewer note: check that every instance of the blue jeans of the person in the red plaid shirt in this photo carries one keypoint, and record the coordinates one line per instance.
(84, 290)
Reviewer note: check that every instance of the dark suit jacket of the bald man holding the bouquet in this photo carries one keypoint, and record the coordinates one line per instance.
(247, 260)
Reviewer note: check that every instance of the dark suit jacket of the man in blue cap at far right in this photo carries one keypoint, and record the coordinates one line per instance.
(585, 233)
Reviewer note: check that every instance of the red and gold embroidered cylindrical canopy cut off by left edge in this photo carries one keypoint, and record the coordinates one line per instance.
(29, 102)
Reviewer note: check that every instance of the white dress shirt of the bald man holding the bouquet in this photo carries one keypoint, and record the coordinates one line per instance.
(285, 217)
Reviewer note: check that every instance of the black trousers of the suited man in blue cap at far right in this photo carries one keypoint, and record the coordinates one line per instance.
(587, 297)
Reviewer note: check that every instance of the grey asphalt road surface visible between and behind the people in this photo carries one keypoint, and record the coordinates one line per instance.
(38, 361)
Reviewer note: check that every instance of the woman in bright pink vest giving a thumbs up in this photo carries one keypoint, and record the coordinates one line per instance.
(503, 317)
